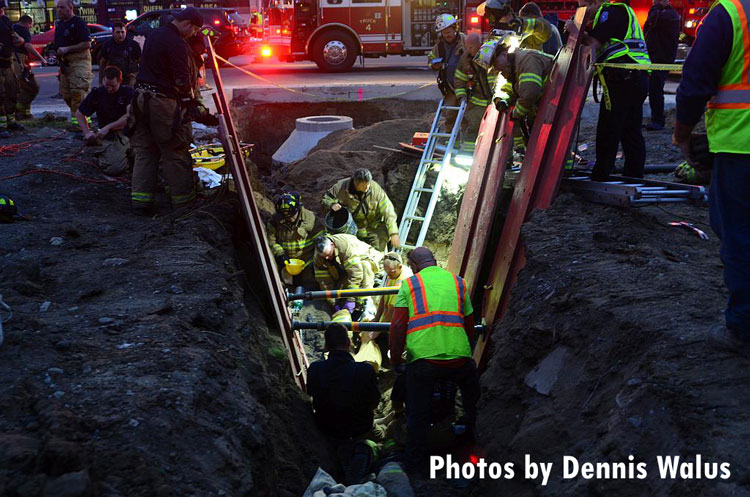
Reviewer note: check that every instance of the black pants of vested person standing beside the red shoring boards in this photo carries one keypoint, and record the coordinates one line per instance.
(621, 124)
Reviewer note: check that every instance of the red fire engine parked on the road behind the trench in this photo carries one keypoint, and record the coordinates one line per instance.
(334, 32)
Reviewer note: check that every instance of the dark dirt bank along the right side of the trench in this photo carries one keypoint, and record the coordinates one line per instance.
(620, 302)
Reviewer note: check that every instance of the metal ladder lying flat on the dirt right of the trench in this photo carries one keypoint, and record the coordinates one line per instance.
(633, 192)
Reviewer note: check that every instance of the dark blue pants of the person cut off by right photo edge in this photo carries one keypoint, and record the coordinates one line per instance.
(729, 205)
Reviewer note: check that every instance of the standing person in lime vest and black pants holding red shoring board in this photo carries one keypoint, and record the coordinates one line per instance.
(617, 38)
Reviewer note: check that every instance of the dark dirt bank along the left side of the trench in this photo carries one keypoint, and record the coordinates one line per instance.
(138, 360)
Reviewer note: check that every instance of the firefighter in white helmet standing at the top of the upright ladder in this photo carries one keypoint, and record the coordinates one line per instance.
(444, 58)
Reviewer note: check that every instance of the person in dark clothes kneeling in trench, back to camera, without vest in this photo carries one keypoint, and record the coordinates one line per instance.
(345, 394)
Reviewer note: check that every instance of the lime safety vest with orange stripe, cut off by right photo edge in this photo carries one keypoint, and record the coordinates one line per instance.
(728, 113)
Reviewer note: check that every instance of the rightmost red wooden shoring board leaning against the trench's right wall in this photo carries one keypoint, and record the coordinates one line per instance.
(548, 148)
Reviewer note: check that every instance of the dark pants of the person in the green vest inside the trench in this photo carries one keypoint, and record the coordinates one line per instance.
(420, 385)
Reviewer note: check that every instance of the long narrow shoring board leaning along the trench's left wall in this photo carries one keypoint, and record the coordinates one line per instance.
(273, 285)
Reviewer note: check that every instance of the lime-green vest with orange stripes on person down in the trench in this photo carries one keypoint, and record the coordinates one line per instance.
(437, 302)
